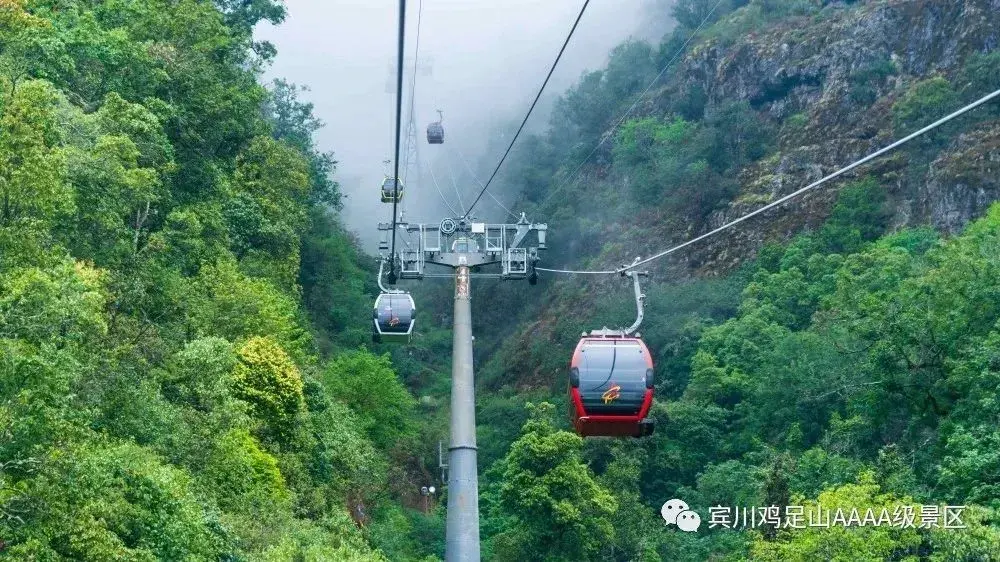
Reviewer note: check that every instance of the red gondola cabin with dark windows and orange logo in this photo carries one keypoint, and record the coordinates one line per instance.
(611, 386)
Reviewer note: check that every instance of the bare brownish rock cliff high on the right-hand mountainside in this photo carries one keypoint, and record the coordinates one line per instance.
(832, 79)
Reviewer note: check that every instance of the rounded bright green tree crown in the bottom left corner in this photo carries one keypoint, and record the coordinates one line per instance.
(114, 501)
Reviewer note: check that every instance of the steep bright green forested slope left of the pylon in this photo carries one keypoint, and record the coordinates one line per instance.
(176, 295)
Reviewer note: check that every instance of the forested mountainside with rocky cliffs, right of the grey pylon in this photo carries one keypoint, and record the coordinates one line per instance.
(834, 350)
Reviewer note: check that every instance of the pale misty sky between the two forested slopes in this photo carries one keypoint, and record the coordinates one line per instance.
(487, 61)
